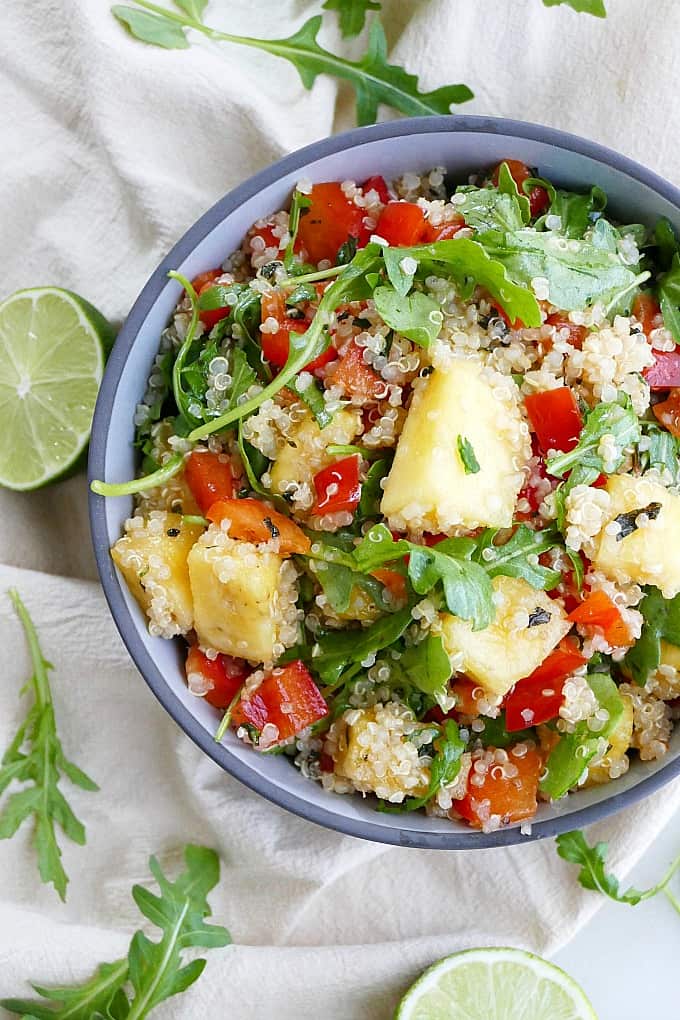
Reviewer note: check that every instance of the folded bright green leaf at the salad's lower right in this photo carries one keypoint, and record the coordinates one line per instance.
(573, 752)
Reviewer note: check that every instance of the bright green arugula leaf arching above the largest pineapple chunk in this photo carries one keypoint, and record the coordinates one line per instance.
(465, 261)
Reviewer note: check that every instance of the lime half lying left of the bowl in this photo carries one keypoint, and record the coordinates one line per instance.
(53, 350)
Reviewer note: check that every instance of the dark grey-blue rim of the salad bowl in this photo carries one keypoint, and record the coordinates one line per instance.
(349, 826)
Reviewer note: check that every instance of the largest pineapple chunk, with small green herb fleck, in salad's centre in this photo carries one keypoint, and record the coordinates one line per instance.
(429, 489)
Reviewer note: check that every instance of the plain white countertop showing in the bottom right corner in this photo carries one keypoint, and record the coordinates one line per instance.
(626, 959)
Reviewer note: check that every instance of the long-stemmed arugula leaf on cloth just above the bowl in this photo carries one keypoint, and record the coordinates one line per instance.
(375, 81)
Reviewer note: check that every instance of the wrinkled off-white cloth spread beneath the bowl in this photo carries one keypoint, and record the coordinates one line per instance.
(111, 150)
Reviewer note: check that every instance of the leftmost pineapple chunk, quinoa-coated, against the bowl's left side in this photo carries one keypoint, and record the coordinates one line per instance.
(152, 557)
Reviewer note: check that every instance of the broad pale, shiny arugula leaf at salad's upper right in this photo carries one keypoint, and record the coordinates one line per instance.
(579, 273)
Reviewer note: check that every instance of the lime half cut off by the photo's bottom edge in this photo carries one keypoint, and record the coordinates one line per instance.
(495, 985)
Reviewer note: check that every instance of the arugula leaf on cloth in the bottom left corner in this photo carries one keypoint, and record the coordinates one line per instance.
(153, 972)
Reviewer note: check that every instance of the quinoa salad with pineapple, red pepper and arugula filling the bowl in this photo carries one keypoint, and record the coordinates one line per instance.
(408, 491)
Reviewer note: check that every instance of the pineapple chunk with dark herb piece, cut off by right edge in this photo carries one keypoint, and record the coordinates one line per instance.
(651, 555)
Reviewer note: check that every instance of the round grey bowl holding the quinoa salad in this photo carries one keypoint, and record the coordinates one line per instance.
(462, 144)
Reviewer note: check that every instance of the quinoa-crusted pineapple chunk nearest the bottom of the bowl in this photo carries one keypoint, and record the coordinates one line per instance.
(377, 755)
